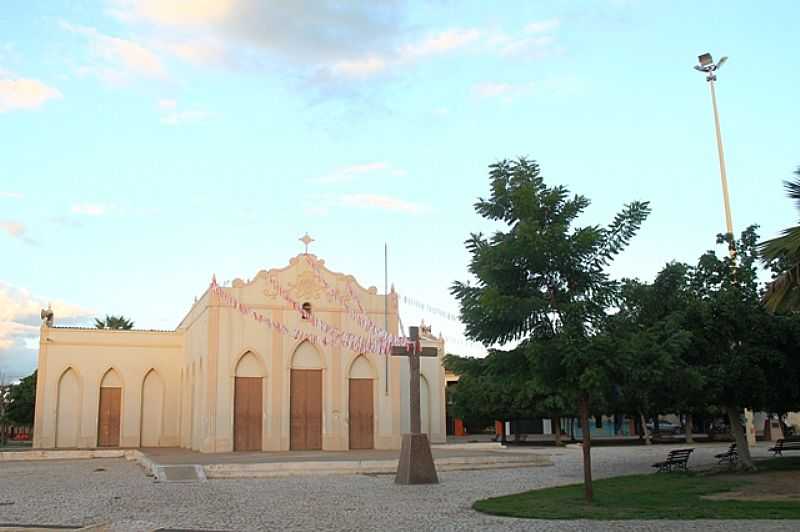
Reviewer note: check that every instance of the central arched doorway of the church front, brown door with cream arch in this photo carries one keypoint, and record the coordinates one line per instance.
(305, 402)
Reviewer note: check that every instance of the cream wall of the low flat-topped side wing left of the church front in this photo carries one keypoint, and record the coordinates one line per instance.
(87, 355)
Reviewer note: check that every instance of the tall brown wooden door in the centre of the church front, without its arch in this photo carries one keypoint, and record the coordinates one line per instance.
(306, 410)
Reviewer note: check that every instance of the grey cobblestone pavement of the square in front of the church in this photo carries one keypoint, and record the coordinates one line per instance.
(90, 491)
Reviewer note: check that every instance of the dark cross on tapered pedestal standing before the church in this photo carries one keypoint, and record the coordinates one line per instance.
(416, 460)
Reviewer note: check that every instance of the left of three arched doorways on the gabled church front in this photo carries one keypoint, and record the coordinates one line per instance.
(248, 406)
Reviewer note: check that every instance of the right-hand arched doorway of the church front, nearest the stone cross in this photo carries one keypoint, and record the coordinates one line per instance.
(361, 406)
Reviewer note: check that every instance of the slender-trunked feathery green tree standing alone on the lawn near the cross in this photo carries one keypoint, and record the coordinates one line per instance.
(544, 281)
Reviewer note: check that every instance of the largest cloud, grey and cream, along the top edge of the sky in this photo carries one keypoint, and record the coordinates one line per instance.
(324, 41)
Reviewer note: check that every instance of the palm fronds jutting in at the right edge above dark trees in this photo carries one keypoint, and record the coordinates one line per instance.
(783, 252)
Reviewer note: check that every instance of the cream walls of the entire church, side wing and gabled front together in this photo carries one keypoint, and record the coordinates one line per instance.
(193, 388)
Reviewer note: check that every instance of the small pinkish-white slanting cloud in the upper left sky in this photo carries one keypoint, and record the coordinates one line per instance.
(118, 60)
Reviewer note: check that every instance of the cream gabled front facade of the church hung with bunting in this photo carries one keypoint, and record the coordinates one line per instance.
(239, 334)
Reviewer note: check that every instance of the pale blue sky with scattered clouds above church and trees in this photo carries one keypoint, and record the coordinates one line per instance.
(148, 144)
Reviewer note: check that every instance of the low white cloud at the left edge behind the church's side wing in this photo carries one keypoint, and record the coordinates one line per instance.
(19, 326)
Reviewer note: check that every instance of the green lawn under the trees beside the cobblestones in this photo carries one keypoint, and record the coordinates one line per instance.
(653, 496)
